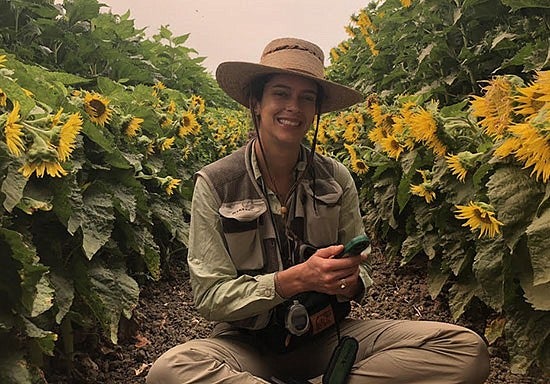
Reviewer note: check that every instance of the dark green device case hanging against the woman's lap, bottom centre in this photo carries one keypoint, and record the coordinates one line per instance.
(341, 361)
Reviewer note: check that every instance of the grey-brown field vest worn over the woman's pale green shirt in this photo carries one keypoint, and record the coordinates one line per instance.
(248, 229)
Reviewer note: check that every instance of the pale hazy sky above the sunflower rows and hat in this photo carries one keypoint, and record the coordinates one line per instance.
(224, 30)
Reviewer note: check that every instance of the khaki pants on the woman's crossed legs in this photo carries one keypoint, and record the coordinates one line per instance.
(390, 351)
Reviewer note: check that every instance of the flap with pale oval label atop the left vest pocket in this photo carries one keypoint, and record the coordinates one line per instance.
(241, 216)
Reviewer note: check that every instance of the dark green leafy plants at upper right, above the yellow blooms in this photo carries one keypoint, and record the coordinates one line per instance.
(442, 50)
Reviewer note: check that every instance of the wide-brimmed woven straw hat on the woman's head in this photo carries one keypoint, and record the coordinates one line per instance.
(285, 56)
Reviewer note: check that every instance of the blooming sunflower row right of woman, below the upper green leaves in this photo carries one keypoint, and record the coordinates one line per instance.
(466, 186)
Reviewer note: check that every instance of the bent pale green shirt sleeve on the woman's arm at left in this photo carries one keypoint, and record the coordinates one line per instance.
(220, 294)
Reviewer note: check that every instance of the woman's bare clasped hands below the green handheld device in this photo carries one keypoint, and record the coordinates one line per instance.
(322, 273)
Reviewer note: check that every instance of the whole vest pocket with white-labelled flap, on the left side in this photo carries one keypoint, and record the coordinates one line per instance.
(240, 223)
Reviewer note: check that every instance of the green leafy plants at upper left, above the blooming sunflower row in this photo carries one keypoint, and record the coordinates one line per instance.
(78, 38)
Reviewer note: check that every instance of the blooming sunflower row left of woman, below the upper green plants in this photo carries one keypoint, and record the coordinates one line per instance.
(79, 234)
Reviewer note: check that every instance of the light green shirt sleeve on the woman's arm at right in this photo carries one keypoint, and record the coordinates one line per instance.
(351, 222)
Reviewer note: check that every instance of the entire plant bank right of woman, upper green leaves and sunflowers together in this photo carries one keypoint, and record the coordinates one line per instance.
(406, 57)
